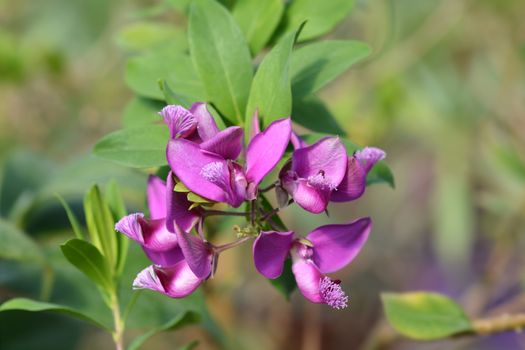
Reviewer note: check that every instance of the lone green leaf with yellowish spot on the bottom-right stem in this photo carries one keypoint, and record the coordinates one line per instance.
(425, 316)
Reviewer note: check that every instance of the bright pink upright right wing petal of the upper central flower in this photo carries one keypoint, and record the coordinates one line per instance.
(266, 149)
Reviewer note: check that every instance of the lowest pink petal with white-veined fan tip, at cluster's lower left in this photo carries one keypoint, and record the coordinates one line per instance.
(176, 281)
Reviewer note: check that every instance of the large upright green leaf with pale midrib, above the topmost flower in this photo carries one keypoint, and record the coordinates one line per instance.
(221, 56)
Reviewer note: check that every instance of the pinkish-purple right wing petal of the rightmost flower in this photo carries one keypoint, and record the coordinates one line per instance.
(353, 184)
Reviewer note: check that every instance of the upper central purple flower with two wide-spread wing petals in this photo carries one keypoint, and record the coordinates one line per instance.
(209, 169)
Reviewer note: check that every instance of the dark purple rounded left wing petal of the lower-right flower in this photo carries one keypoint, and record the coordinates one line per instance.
(270, 250)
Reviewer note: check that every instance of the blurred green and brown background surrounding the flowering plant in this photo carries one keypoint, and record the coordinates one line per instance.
(443, 94)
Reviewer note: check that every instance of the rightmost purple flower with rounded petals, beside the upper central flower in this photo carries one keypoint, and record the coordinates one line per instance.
(323, 172)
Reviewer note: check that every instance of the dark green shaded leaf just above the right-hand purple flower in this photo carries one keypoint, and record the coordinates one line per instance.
(313, 114)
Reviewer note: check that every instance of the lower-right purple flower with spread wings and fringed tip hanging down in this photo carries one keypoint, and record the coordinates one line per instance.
(326, 249)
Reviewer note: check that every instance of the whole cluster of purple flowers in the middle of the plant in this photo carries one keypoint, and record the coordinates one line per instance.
(210, 166)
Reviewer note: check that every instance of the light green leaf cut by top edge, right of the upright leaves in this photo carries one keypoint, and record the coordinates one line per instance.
(321, 16)
